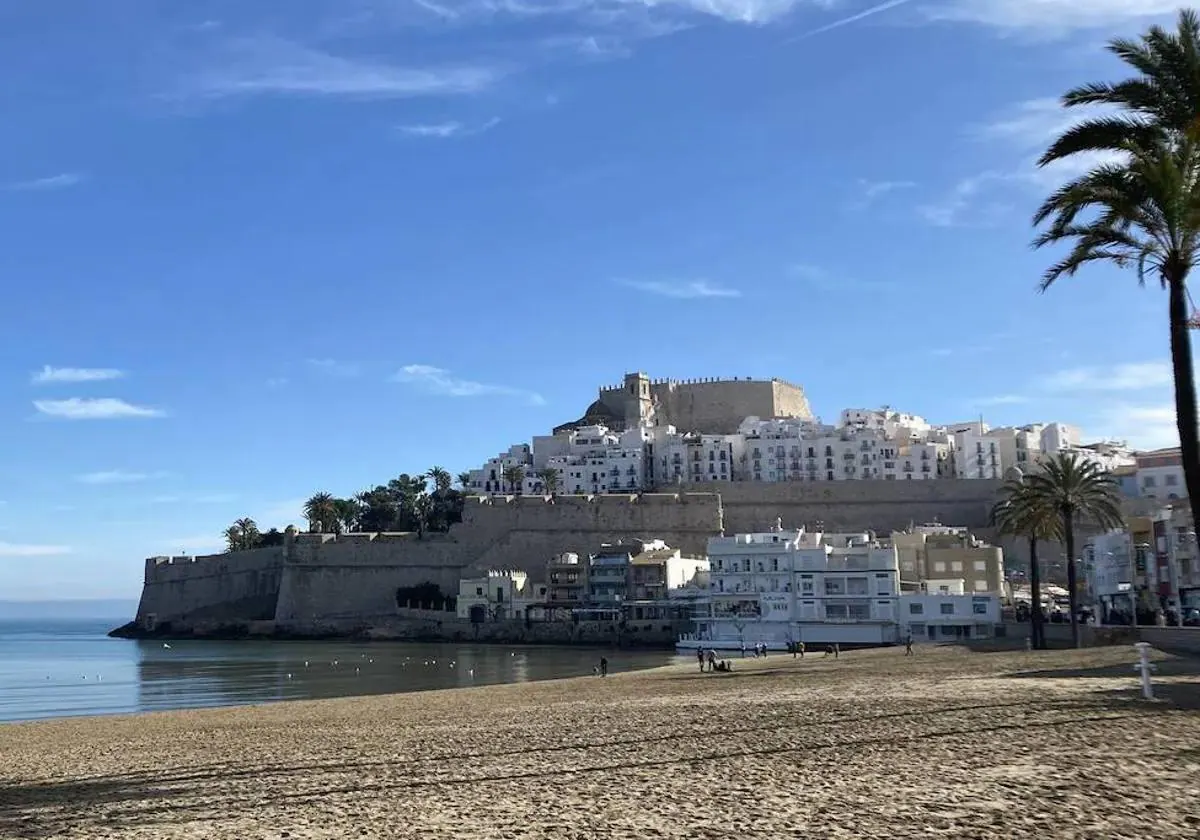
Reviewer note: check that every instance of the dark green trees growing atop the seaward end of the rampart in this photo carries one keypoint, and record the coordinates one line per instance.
(409, 503)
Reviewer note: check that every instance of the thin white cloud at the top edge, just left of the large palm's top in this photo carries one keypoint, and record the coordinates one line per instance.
(1048, 17)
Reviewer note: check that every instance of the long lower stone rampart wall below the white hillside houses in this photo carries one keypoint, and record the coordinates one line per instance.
(317, 578)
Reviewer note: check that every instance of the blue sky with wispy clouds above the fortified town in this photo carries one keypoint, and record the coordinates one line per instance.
(255, 250)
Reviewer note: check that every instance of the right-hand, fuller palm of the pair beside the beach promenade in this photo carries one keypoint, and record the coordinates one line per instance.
(1077, 491)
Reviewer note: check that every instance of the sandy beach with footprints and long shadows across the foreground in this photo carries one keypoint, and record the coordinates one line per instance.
(943, 745)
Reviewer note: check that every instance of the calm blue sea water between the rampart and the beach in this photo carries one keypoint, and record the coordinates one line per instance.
(70, 668)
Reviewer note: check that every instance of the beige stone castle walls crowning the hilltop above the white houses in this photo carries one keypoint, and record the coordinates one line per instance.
(711, 405)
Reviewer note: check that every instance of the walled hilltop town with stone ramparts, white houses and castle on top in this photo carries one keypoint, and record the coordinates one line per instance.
(316, 581)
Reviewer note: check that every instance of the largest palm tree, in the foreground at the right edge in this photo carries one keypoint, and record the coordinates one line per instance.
(1139, 208)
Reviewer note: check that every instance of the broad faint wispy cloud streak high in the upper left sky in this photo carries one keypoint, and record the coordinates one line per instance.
(280, 68)
